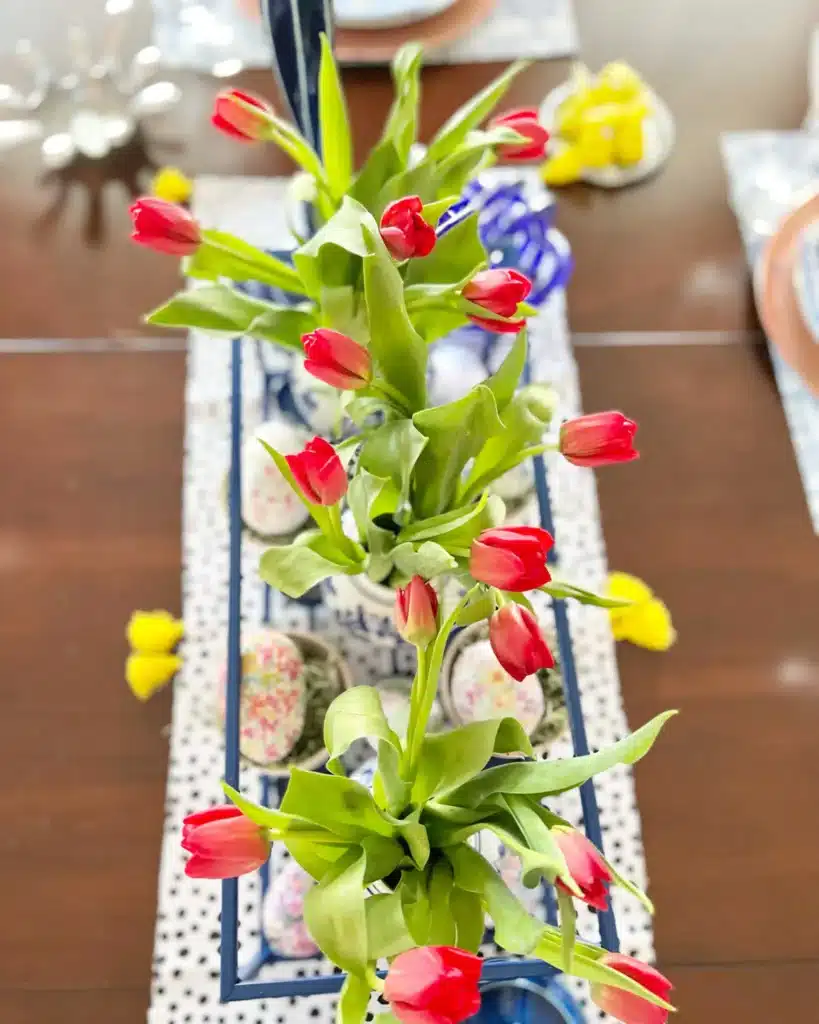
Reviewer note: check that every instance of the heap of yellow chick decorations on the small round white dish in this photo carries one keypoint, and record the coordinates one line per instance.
(599, 124)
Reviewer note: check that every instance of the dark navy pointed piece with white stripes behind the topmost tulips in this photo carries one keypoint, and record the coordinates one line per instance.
(295, 28)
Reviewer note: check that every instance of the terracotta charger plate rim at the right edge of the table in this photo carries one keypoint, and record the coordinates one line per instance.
(778, 303)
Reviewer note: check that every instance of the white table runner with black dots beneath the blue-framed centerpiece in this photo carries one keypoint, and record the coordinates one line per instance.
(187, 958)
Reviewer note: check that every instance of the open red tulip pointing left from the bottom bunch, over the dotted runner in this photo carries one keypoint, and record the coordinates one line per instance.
(225, 844)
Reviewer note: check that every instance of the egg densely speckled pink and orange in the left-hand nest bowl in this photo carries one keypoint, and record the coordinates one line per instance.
(274, 697)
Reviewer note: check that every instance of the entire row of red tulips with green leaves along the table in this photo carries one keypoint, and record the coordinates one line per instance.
(406, 501)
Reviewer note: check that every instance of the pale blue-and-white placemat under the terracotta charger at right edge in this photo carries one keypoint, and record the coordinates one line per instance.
(766, 174)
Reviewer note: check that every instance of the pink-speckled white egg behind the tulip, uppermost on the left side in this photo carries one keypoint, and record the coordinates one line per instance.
(269, 505)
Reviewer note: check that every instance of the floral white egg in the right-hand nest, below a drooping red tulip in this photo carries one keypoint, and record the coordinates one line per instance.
(481, 690)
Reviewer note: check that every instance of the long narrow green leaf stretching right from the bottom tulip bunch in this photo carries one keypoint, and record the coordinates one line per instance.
(545, 779)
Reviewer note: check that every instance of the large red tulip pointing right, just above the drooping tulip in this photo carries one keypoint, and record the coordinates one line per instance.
(511, 558)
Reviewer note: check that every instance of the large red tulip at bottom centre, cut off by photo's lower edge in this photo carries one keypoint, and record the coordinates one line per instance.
(434, 986)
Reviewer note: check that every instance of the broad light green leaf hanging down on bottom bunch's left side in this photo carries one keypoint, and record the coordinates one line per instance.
(335, 915)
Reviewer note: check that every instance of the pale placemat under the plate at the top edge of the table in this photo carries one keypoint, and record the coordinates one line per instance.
(203, 35)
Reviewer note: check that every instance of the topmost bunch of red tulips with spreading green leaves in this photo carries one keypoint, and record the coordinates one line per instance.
(406, 198)
